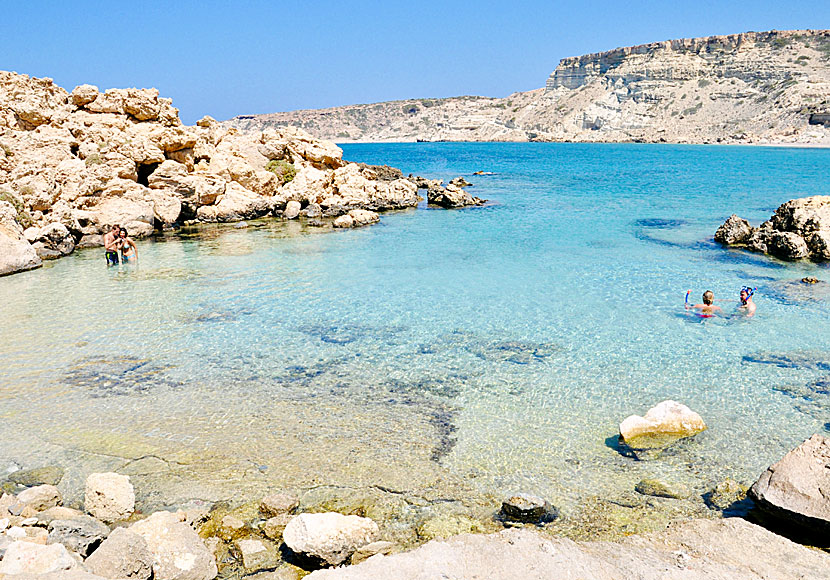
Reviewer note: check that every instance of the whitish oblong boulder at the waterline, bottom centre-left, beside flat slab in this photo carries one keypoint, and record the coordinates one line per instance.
(328, 537)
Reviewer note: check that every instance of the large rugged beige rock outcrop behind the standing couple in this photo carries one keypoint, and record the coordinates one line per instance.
(73, 164)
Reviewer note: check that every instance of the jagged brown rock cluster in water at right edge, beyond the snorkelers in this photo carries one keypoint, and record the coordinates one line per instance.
(798, 229)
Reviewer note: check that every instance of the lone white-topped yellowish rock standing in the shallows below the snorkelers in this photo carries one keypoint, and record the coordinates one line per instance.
(662, 426)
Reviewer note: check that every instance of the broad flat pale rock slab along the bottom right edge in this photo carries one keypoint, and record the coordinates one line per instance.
(701, 549)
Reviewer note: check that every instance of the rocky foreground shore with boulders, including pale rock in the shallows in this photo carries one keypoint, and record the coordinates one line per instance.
(280, 536)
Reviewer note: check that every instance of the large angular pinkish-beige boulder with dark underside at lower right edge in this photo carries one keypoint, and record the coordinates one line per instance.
(797, 488)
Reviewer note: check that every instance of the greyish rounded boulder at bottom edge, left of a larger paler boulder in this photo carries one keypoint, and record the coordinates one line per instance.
(124, 554)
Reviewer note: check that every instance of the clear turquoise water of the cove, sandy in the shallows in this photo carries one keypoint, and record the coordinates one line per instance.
(453, 354)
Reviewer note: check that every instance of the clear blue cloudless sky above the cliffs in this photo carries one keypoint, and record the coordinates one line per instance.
(229, 58)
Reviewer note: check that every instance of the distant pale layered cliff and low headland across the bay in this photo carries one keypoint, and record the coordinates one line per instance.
(766, 87)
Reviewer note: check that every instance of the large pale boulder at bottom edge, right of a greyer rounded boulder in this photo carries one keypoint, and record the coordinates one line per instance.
(178, 551)
